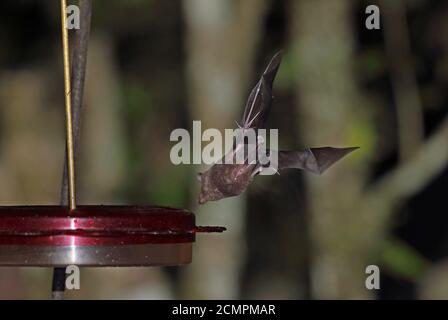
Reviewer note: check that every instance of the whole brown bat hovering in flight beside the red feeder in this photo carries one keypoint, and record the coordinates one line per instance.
(226, 179)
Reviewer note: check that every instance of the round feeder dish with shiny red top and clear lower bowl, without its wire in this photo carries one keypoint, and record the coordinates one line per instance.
(97, 236)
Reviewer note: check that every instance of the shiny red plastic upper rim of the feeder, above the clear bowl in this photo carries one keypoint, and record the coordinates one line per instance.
(97, 225)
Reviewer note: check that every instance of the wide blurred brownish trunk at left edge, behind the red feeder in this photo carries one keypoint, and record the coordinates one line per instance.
(31, 150)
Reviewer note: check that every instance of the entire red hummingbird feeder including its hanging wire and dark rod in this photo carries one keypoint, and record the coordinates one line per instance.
(93, 235)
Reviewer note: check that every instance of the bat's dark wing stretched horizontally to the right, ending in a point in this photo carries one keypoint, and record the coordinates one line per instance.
(316, 160)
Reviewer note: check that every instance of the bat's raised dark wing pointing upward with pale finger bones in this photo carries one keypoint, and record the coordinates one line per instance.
(259, 101)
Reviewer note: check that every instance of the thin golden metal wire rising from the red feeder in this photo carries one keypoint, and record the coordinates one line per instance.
(68, 110)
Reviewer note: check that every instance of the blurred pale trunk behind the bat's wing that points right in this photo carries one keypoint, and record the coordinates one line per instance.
(330, 110)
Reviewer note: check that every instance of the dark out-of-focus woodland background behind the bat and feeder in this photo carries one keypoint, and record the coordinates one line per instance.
(154, 66)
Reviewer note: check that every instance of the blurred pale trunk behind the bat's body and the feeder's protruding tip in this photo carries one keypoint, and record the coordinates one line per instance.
(221, 41)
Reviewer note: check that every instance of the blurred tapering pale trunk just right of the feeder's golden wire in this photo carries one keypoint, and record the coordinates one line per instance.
(101, 165)
